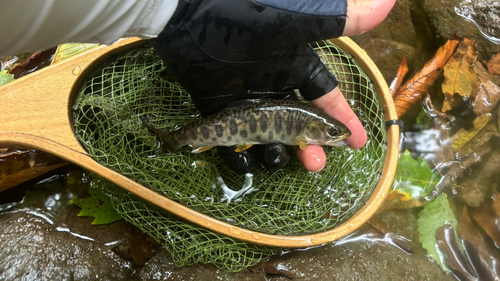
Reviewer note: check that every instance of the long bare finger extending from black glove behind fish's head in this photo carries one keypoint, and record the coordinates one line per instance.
(335, 104)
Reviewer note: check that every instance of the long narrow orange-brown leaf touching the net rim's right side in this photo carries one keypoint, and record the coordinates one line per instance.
(413, 90)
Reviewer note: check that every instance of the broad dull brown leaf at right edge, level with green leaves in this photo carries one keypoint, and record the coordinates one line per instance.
(475, 188)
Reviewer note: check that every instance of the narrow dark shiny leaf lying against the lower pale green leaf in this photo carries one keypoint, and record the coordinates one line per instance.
(454, 258)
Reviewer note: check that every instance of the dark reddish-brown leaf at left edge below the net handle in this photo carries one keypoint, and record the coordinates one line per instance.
(17, 167)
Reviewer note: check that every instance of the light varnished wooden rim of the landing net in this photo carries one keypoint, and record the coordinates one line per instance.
(68, 150)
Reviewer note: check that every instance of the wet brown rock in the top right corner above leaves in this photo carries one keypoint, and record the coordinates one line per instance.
(476, 20)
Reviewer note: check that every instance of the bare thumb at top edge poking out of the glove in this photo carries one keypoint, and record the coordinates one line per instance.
(363, 15)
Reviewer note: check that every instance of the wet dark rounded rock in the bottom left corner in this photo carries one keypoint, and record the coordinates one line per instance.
(33, 249)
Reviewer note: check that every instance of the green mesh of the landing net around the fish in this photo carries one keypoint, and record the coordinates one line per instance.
(107, 120)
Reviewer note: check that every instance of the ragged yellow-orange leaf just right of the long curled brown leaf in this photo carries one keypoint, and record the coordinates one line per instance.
(459, 76)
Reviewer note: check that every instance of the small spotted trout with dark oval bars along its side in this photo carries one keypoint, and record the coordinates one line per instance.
(257, 122)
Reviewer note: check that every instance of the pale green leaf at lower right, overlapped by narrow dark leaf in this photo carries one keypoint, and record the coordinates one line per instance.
(434, 215)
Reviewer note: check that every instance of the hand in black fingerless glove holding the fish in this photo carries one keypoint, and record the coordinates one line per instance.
(226, 51)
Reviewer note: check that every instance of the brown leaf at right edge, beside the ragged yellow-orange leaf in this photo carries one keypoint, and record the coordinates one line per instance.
(486, 91)
